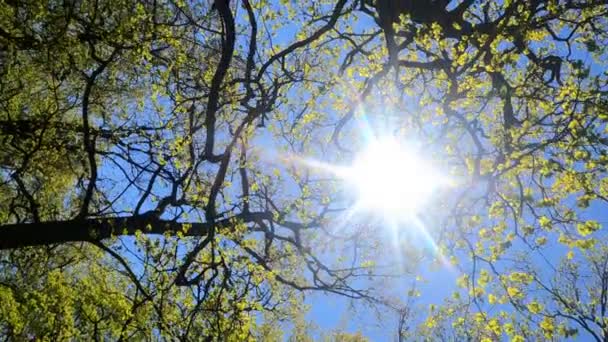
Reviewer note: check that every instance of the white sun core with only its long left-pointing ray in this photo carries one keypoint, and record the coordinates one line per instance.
(388, 178)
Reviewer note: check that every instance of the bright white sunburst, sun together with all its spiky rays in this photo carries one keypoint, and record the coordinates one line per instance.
(390, 182)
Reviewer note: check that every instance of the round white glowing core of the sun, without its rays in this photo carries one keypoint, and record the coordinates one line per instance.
(392, 178)
